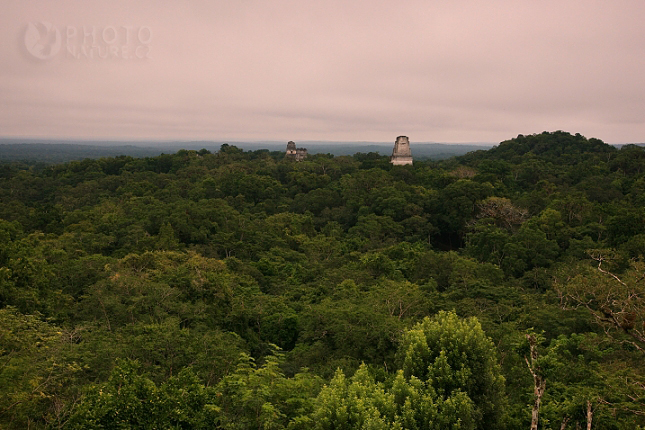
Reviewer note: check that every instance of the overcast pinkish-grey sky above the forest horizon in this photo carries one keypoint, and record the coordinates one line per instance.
(349, 70)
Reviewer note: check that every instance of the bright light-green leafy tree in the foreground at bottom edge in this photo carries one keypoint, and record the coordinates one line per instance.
(449, 379)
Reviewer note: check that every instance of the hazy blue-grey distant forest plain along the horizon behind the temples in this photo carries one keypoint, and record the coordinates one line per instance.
(57, 151)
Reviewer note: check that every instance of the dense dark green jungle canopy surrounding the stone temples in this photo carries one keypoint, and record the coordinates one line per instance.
(240, 289)
